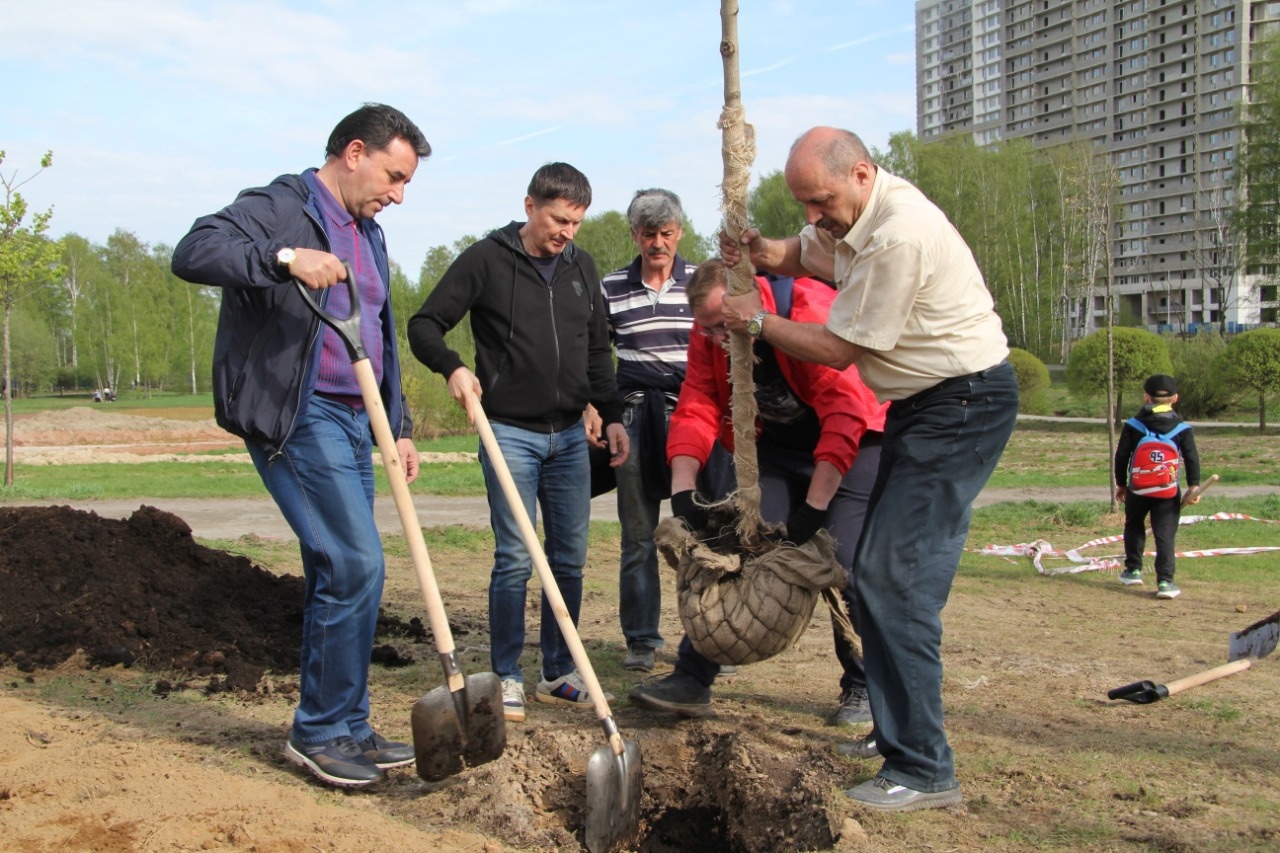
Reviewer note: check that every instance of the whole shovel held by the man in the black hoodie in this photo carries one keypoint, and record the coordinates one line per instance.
(614, 773)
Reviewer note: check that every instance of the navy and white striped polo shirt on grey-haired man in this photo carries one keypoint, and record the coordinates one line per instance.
(651, 329)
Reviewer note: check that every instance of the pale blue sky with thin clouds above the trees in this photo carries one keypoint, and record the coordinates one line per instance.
(162, 111)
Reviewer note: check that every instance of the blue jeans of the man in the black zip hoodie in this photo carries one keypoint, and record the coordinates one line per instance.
(552, 471)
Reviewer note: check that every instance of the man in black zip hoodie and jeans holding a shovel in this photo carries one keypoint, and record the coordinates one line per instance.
(543, 354)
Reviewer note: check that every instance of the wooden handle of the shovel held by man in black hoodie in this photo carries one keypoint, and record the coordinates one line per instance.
(545, 572)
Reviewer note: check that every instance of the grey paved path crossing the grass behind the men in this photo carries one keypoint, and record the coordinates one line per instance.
(227, 519)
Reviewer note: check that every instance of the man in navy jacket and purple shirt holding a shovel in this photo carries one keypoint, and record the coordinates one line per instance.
(284, 382)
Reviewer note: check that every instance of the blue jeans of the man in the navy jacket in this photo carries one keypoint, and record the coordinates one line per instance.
(323, 481)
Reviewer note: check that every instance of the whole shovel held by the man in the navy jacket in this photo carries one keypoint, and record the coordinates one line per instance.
(459, 726)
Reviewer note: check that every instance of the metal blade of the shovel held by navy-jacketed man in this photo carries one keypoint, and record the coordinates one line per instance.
(459, 731)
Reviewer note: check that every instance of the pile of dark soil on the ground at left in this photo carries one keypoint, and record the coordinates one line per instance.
(140, 592)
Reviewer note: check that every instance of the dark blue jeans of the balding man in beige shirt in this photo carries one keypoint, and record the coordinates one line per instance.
(940, 449)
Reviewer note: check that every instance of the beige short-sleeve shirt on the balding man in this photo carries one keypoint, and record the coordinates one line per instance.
(911, 293)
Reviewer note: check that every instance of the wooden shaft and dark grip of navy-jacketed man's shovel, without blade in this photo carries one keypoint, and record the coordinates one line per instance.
(349, 330)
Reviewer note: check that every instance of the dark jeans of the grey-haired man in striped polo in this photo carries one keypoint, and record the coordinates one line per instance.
(639, 586)
